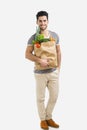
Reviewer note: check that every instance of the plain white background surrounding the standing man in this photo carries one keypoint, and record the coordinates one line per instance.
(18, 109)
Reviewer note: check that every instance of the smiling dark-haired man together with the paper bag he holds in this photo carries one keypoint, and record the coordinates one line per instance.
(47, 58)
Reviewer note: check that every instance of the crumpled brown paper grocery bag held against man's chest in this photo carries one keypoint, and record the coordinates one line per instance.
(47, 51)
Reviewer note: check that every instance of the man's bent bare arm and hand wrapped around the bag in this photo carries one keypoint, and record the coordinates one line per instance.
(29, 55)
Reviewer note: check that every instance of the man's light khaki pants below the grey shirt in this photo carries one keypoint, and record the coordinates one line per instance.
(51, 81)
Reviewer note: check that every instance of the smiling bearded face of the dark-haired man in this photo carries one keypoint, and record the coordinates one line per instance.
(42, 22)
